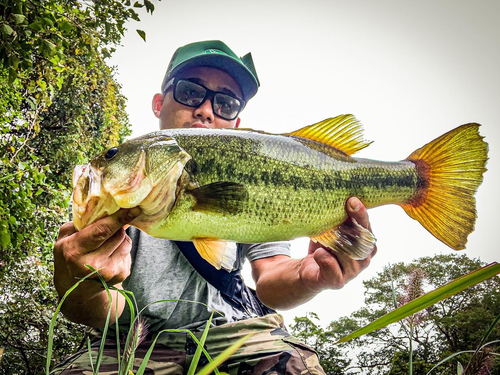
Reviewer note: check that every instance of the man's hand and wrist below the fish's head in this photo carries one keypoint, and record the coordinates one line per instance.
(102, 245)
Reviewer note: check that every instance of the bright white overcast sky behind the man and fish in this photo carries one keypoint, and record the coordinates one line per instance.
(409, 70)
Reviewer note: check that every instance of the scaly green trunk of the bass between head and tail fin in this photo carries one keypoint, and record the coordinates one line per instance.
(292, 189)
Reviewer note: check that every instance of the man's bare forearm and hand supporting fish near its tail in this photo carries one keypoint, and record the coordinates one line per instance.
(284, 283)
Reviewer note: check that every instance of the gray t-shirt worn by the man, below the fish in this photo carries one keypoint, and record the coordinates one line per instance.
(160, 271)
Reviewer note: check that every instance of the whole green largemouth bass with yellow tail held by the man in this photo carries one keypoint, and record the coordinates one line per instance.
(217, 187)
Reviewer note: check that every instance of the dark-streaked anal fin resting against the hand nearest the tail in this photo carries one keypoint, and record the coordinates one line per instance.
(349, 238)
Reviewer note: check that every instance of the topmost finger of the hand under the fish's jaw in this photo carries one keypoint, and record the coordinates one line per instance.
(93, 236)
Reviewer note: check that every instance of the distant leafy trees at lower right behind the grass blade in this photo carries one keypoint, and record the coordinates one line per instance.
(455, 324)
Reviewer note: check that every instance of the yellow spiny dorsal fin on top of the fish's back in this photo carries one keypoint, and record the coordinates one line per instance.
(343, 132)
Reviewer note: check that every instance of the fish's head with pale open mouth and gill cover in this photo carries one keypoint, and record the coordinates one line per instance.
(133, 174)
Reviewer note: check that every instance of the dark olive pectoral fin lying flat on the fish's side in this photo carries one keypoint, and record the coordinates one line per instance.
(222, 197)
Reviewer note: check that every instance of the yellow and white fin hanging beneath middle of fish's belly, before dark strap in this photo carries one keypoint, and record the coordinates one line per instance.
(219, 253)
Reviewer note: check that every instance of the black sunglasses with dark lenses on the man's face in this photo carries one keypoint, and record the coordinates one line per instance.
(193, 95)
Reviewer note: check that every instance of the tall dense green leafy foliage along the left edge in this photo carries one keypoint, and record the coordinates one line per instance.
(60, 104)
